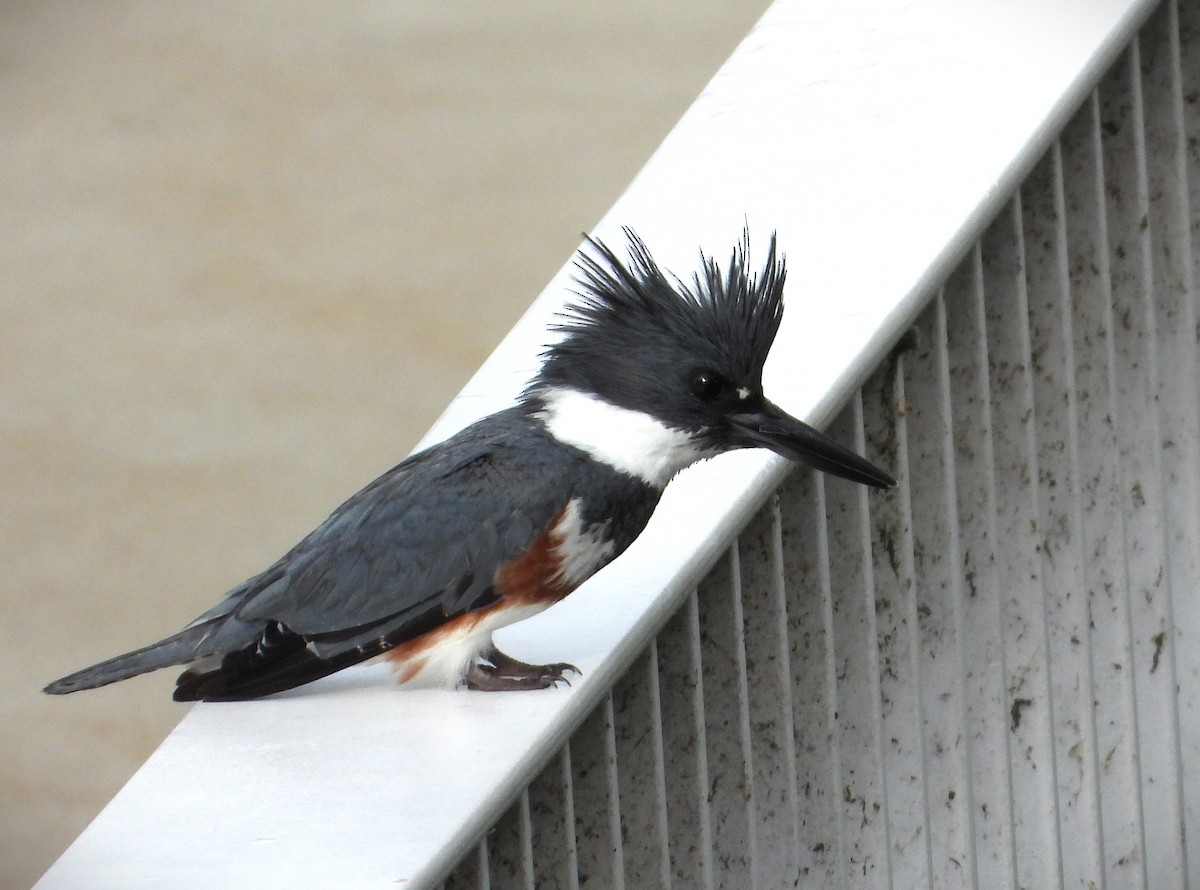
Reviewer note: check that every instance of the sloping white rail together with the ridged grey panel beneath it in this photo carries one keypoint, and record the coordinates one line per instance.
(988, 678)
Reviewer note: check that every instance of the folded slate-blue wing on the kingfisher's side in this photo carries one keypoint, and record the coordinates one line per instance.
(421, 544)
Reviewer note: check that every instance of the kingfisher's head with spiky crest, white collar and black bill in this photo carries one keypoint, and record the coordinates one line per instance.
(671, 371)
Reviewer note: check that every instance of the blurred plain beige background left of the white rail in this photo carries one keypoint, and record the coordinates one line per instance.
(249, 254)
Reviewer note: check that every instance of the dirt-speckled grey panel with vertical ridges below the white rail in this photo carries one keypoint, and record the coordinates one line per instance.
(992, 676)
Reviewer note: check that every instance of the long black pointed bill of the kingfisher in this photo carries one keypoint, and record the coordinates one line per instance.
(772, 429)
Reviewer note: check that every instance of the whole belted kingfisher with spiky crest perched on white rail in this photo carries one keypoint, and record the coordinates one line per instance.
(651, 374)
